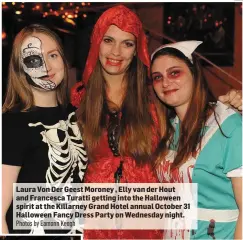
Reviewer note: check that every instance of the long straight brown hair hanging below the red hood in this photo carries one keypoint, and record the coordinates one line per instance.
(137, 127)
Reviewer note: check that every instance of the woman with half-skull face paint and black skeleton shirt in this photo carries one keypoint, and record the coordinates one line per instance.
(41, 139)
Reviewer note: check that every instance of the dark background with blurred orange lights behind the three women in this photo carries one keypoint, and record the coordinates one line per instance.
(219, 25)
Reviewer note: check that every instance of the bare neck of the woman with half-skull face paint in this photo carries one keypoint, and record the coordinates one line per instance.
(44, 98)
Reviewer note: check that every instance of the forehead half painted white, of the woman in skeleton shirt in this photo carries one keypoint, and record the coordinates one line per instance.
(40, 41)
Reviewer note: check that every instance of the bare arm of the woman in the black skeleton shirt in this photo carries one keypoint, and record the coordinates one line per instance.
(9, 176)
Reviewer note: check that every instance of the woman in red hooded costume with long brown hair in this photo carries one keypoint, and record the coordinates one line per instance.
(117, 117)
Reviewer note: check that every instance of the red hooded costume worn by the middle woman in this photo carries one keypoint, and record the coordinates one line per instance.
(104, 165)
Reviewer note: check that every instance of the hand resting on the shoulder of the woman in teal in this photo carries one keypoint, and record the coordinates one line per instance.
(233, 98)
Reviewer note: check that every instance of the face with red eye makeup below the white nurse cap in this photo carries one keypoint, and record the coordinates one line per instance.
(172, 81)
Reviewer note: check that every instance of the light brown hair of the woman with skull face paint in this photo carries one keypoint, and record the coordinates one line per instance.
(19, 93)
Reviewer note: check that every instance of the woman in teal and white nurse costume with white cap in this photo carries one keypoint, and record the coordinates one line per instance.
(205, 144)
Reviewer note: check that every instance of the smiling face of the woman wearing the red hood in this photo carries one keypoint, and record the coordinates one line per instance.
(117, 50)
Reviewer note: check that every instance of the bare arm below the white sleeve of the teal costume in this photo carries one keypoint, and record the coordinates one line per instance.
(237, 187)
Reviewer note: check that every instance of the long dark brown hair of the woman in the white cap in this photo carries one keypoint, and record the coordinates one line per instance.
(200, 108)
